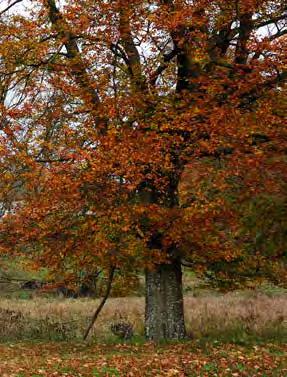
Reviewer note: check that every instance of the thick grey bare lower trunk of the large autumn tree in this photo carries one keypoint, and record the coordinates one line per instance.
(164, 316)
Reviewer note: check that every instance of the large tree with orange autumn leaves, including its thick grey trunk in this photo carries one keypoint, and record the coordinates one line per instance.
(105, 108)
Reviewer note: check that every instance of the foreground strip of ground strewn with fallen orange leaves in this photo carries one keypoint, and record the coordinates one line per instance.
(188, 359)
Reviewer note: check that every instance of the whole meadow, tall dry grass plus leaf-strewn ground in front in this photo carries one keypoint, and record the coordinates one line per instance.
(236, 334)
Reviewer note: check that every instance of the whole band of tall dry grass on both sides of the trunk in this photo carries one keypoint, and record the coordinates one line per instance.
(212, 316)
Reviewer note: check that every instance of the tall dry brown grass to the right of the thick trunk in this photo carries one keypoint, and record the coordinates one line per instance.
(259, 315)
